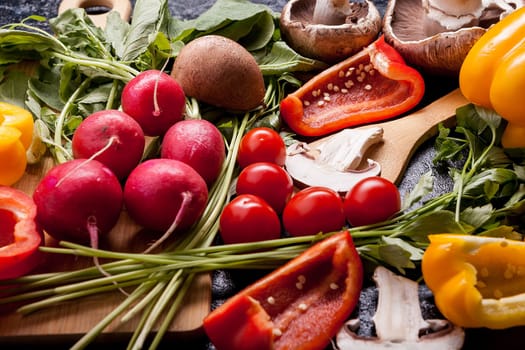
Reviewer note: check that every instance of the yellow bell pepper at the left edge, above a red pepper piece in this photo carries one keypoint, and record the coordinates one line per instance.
(16, 133)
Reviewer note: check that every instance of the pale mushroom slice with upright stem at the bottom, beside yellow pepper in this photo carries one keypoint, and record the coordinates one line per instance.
(398, 321)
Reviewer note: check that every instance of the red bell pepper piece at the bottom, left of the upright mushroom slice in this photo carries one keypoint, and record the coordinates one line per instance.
(301, 305)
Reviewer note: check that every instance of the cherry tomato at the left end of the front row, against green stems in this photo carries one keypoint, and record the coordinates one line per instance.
(248, 218)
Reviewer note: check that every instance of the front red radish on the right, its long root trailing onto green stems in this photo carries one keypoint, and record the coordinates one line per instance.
(165, 195)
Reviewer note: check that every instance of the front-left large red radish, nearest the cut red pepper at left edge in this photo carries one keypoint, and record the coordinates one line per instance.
(78, 200)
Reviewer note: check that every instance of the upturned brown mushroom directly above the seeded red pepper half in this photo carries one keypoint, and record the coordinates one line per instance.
(329, 30)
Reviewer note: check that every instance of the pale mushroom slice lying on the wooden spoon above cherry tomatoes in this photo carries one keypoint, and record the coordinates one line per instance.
(335, 161)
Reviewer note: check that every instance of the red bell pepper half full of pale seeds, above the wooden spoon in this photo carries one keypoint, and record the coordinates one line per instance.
(372, 85)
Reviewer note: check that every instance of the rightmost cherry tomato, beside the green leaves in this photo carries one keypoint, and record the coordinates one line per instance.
(371, 200)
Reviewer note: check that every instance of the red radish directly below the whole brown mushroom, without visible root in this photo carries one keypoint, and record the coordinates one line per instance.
(198, 143)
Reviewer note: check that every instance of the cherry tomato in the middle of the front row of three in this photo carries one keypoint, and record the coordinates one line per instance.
(312, 210)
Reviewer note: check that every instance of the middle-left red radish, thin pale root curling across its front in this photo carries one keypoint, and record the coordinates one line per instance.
(114, 137)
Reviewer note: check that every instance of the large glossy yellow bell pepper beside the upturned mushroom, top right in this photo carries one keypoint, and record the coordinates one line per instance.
(493, 74)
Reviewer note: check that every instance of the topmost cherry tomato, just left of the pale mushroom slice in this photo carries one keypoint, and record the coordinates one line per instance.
(261, 145)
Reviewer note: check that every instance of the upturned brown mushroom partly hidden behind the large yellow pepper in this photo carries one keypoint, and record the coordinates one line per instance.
(436, 35)
